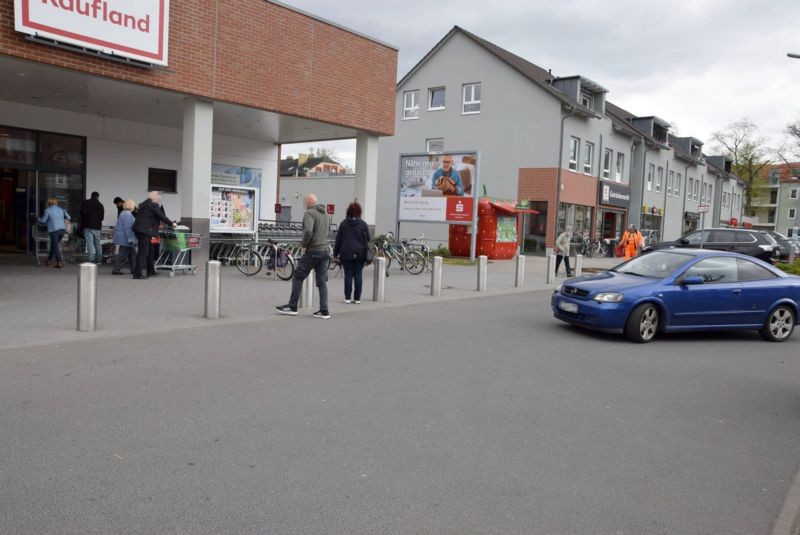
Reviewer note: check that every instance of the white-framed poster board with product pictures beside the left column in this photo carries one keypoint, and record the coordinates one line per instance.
(233, 209)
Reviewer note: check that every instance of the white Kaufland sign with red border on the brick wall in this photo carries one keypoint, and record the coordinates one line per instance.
(137, 29)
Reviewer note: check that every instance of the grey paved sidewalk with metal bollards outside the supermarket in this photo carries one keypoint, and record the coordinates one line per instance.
(38, 305)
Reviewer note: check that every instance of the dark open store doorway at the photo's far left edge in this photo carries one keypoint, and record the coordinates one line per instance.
(17, 204)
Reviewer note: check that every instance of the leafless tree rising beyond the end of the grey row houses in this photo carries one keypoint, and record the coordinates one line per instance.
(748, 150)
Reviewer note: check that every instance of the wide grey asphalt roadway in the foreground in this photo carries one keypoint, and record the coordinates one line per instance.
(463, 416)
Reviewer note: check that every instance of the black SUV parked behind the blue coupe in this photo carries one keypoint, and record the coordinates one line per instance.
(749, 242)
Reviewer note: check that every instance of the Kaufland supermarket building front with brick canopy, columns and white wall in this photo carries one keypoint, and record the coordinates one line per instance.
(183, 97)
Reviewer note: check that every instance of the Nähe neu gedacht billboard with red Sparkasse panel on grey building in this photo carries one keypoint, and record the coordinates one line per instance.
(438, 188)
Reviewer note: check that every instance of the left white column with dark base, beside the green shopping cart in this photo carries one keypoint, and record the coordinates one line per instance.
(195, 177)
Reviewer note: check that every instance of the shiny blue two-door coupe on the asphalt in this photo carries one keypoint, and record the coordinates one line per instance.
(683, 290)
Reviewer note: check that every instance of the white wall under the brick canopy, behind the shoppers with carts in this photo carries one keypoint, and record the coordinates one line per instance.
(119, 153)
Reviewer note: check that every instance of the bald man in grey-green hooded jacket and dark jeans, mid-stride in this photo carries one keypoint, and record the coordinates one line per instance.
(316, 256)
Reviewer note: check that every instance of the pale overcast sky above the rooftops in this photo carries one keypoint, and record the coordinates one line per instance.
(699, 64)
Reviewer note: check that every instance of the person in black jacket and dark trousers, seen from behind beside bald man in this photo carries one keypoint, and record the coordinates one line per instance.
(352, 239)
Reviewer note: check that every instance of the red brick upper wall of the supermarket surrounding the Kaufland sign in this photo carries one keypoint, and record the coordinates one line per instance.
(254, 53)
